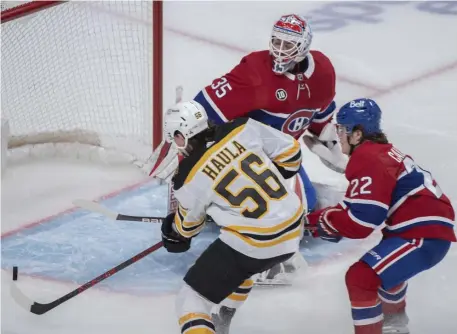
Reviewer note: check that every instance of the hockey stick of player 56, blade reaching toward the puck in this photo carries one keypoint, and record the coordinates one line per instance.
(39, 308)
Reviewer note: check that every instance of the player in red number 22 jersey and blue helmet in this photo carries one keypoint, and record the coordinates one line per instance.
(389, 191)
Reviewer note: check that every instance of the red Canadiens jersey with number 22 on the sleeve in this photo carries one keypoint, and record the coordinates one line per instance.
(387, 187)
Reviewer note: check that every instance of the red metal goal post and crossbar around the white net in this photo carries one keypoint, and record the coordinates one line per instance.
(157, 61)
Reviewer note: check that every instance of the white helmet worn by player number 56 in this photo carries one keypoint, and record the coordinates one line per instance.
(188, 119)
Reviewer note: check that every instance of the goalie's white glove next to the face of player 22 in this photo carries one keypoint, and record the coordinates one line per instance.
(327, 148)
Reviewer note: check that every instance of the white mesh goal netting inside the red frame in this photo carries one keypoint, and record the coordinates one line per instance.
(80, 72)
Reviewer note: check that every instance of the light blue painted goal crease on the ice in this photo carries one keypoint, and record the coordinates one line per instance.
(80, 245)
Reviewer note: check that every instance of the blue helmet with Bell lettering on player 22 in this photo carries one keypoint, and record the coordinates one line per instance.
(364, 112)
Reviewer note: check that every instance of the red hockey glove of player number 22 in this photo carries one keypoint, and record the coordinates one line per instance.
(319, 225)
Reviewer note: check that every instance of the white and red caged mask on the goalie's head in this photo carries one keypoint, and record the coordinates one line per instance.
(290, 42)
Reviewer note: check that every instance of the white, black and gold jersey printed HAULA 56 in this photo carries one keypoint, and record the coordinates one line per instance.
(237, 181)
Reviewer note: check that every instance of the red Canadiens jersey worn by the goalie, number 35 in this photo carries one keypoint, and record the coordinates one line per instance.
(290, 103)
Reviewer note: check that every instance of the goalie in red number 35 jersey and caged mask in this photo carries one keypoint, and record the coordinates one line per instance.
(288, 87)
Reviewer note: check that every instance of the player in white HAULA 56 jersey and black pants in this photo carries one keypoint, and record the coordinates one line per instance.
(234, 172)
